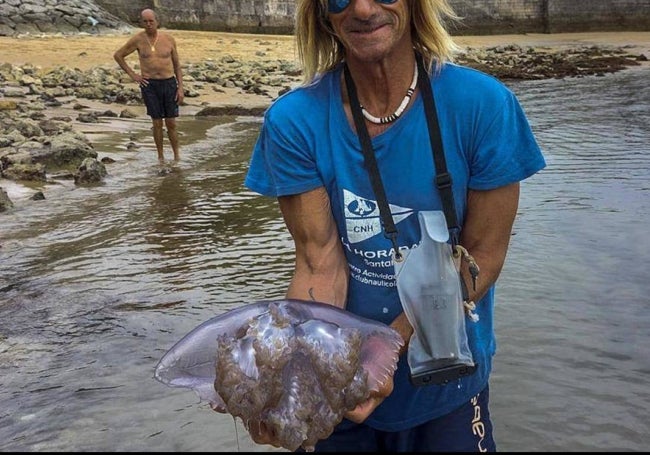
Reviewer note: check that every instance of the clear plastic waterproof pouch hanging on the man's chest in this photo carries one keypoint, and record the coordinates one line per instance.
(429, 287)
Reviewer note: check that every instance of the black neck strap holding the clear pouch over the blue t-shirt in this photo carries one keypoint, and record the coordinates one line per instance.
(442, 179)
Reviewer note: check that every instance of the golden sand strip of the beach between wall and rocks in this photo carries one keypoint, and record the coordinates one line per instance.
(88, 51)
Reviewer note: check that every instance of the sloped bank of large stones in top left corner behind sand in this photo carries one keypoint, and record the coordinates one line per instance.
(18, 17)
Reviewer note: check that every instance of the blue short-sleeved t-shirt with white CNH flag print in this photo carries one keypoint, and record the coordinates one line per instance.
(307, 142)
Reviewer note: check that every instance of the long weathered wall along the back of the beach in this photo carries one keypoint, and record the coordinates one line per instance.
(480, 16)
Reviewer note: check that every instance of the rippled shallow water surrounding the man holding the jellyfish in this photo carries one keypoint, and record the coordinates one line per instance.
(97, 283)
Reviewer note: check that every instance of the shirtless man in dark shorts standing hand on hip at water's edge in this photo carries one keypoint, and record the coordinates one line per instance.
(160, 78)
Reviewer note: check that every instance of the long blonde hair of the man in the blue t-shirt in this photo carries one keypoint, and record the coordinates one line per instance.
(319, 50)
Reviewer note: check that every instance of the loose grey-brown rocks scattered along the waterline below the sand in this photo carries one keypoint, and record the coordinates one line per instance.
(36, 144)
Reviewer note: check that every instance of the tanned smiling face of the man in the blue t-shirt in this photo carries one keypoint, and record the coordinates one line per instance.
(370, 29)
